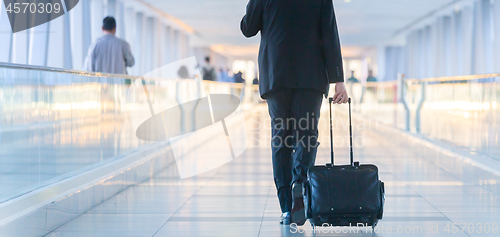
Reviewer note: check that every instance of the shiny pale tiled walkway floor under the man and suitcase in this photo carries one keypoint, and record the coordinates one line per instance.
(424, 197)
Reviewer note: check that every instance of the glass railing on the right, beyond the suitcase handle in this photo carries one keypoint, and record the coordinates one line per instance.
(461, 111)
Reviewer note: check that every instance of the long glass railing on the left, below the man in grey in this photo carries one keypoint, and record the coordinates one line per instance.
(55, 123)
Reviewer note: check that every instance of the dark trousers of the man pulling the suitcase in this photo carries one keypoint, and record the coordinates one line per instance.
(294, 122)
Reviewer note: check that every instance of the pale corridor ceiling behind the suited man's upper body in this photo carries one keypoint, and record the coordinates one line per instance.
(362, 23)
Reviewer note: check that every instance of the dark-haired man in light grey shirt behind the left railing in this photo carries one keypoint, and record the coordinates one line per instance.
(109, 54)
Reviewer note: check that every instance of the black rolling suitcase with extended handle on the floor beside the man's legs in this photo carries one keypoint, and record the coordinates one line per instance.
(347, 195)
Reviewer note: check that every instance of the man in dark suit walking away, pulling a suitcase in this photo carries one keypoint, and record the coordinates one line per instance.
(299, 58)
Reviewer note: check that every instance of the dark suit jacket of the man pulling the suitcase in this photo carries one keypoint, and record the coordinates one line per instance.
(300, 46)
